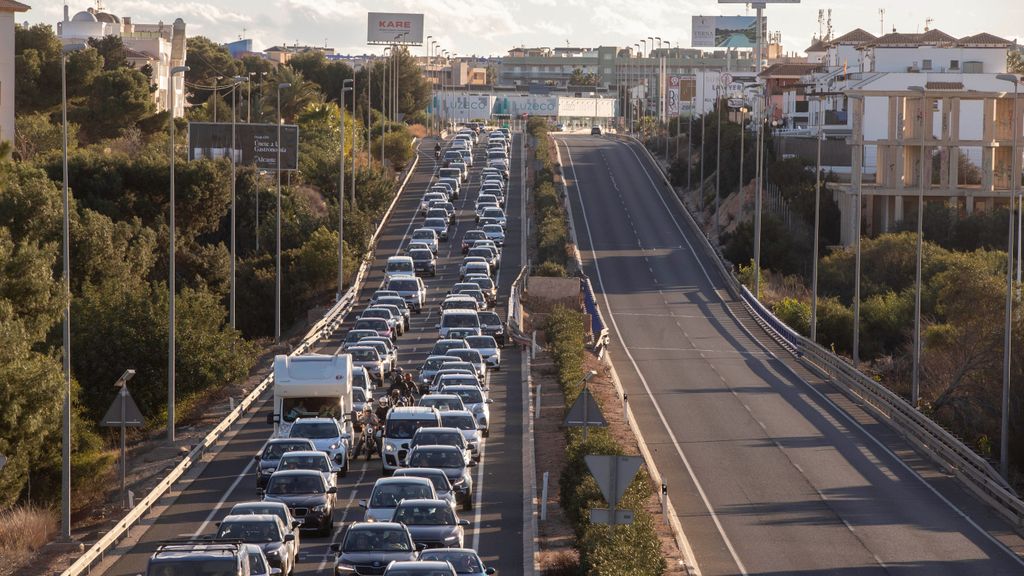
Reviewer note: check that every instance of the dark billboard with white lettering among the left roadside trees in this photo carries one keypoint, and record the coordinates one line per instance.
(254, 144)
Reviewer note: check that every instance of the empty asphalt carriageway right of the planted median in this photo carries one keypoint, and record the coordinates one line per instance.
(772, 472)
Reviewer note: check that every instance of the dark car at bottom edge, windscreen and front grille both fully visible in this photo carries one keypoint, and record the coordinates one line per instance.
(370, 547)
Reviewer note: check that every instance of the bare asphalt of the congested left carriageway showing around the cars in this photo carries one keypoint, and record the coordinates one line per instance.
(497, 529)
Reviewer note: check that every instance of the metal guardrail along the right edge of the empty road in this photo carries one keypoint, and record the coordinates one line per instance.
(973, 471)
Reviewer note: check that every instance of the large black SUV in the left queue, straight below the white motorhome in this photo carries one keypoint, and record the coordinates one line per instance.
(308, 496)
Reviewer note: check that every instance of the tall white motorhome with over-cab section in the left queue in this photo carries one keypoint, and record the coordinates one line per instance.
(312, 386)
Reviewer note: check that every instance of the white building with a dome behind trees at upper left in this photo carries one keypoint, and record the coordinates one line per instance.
(160, 46)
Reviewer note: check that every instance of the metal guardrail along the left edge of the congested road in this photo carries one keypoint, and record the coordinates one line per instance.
(327, 325)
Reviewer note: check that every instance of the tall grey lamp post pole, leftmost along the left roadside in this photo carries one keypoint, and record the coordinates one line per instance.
(66, 352)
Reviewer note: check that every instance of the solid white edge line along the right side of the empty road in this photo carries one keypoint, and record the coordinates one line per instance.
(819, 394)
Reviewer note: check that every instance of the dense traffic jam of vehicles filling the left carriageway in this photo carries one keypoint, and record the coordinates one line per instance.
(426, 421)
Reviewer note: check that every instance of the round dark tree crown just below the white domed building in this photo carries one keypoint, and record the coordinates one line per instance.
(119, 99)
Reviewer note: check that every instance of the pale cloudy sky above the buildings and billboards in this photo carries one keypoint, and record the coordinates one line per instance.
(494, 27)
